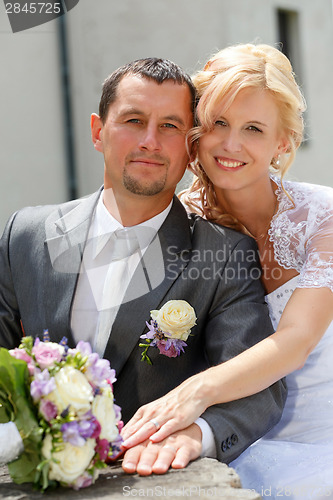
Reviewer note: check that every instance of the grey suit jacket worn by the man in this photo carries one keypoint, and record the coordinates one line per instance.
(211, 267)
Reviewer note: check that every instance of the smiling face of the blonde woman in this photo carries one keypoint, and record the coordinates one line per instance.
(238, 151)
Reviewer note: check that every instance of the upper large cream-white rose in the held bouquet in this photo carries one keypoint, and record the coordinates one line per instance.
(72, 388)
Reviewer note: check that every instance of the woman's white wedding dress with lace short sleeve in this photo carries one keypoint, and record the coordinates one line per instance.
(295, 459)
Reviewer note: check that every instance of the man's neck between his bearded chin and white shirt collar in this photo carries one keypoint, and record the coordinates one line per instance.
(133, 210)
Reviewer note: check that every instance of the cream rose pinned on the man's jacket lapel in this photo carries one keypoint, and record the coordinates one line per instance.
(176, 317)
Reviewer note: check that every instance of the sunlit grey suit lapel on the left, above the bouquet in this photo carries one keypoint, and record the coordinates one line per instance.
(66, 235)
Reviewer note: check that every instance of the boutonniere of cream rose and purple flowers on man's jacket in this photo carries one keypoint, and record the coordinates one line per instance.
(169, 329)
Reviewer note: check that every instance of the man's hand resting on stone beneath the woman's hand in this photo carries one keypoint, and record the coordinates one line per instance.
(176, 451)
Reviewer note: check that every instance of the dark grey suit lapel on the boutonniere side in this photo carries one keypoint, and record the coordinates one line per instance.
(174, 242)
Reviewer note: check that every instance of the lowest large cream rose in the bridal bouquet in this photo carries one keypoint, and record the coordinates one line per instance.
(72, 461)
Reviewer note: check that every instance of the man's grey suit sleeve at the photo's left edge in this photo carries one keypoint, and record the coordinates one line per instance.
(10, 327)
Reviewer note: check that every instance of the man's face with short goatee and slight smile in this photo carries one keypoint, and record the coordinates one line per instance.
(143, 137)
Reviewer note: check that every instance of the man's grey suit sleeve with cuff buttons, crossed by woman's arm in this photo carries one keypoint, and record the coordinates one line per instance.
(239, 319)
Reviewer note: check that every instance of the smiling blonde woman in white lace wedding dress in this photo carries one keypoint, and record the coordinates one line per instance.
(250, 125)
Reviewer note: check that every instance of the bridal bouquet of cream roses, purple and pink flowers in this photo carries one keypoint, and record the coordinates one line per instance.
(61, 401)
